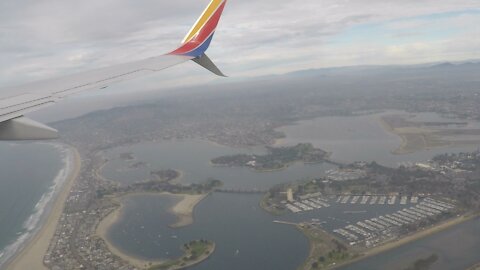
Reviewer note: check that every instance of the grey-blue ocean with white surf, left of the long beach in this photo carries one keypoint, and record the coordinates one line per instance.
(30, 176)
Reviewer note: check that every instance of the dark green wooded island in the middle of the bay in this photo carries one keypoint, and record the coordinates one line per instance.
(277, 158)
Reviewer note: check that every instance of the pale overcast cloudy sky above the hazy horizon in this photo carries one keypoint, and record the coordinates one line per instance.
(48, 38)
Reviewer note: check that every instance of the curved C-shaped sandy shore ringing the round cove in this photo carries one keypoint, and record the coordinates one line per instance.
(183, 210)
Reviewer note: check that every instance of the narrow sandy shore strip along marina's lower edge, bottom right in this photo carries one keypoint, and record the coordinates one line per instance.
(409, 238)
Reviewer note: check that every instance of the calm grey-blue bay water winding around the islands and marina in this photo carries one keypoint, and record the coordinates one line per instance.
(245, 235)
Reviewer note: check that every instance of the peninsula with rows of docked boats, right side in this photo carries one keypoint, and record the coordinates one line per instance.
(431, 196)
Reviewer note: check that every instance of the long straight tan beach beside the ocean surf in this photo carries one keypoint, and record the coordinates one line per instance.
(31, 257)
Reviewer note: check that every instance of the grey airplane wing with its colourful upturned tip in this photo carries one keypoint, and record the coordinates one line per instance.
(16, 101)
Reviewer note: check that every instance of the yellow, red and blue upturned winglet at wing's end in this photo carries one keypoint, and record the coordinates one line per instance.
(198, 39)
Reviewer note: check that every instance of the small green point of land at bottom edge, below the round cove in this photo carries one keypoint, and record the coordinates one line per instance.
(194, 252)
